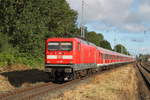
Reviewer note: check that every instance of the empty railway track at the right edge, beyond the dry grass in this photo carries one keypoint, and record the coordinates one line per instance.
(143, 69)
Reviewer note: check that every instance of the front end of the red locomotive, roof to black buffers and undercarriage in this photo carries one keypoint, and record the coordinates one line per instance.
(59, 59)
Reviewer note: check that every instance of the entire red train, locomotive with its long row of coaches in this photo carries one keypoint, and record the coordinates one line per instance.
(69, 58)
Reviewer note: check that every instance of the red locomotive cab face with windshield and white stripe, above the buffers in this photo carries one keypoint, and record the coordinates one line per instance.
(59, 53)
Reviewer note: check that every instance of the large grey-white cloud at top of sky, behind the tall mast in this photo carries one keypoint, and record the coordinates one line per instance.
(102, 10)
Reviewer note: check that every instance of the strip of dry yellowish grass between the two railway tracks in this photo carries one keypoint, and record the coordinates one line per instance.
(117, 84)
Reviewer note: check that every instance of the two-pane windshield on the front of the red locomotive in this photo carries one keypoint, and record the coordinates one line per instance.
(61, 46)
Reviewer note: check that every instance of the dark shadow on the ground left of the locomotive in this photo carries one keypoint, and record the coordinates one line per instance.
(18, 78)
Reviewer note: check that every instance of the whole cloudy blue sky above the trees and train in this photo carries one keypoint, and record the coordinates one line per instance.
(124, 22)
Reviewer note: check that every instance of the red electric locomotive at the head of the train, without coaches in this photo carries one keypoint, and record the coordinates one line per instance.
(65, 56)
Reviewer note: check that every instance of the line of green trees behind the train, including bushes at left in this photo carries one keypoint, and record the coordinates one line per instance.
(25, 24)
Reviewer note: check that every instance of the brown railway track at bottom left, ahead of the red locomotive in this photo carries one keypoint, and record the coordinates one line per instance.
(35, 92)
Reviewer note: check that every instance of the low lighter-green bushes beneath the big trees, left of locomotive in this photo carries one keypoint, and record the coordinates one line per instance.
(7, 59)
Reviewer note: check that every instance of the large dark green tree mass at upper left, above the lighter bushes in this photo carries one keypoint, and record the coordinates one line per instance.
(27, 23)
